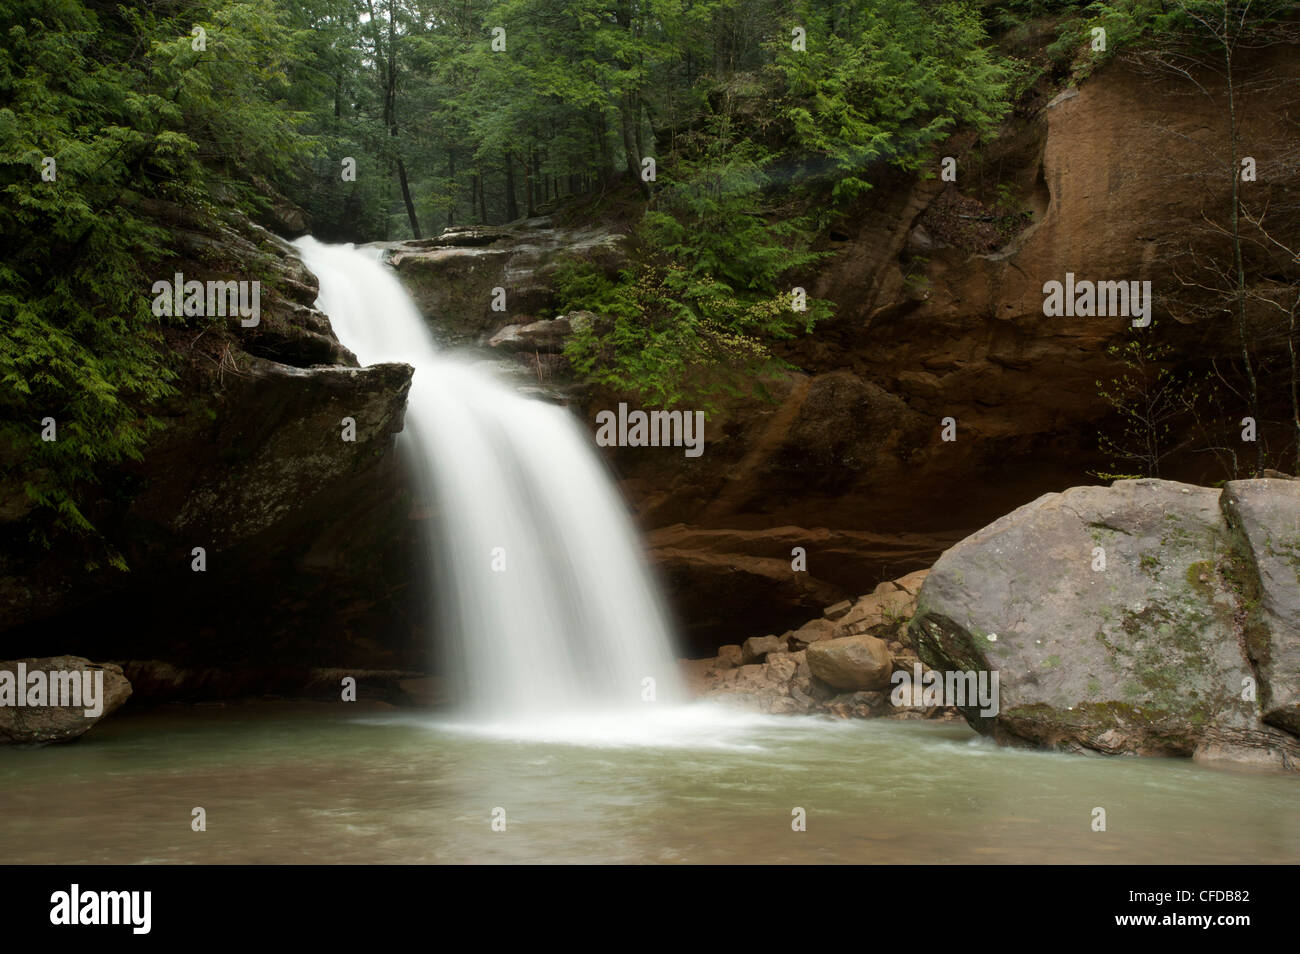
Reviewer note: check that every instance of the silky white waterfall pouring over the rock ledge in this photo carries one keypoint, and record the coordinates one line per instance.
(573, 628)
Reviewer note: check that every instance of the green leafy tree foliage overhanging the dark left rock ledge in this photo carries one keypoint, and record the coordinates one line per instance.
(138, 118)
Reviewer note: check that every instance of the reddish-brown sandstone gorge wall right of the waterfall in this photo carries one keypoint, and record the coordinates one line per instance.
(848, 462)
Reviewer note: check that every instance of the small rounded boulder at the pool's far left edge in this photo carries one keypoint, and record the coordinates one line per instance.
(37, 725)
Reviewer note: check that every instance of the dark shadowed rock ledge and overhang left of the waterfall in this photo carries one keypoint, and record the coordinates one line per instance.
(307, 540)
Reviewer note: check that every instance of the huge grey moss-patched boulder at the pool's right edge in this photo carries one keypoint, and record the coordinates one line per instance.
(1129, 619)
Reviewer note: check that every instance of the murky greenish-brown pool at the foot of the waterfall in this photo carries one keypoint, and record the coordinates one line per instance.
(336, 783)
